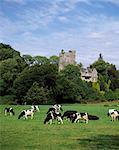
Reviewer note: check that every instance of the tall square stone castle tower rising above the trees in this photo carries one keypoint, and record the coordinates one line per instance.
(66, 58)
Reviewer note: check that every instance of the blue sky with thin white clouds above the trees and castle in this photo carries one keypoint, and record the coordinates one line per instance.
(44, 27)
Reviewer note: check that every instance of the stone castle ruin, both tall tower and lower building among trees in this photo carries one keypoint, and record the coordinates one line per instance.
(66, 58)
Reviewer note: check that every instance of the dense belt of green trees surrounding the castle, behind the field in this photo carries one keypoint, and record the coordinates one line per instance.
(37, 80)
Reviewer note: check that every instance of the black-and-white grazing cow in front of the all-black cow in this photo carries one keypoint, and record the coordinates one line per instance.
(78, 116)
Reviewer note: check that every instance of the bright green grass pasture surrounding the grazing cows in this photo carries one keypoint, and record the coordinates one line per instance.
(34, 135)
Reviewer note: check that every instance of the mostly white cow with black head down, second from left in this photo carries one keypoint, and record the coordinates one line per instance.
(26, 113)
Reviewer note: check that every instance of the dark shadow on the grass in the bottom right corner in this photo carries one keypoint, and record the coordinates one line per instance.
(103, 142)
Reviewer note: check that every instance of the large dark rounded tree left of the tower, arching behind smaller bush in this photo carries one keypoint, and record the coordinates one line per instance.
(44, 75)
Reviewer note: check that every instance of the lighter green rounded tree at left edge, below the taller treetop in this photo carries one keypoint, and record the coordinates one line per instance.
(9, 70)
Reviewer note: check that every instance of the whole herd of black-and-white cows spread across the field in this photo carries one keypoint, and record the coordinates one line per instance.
(54, 113)
